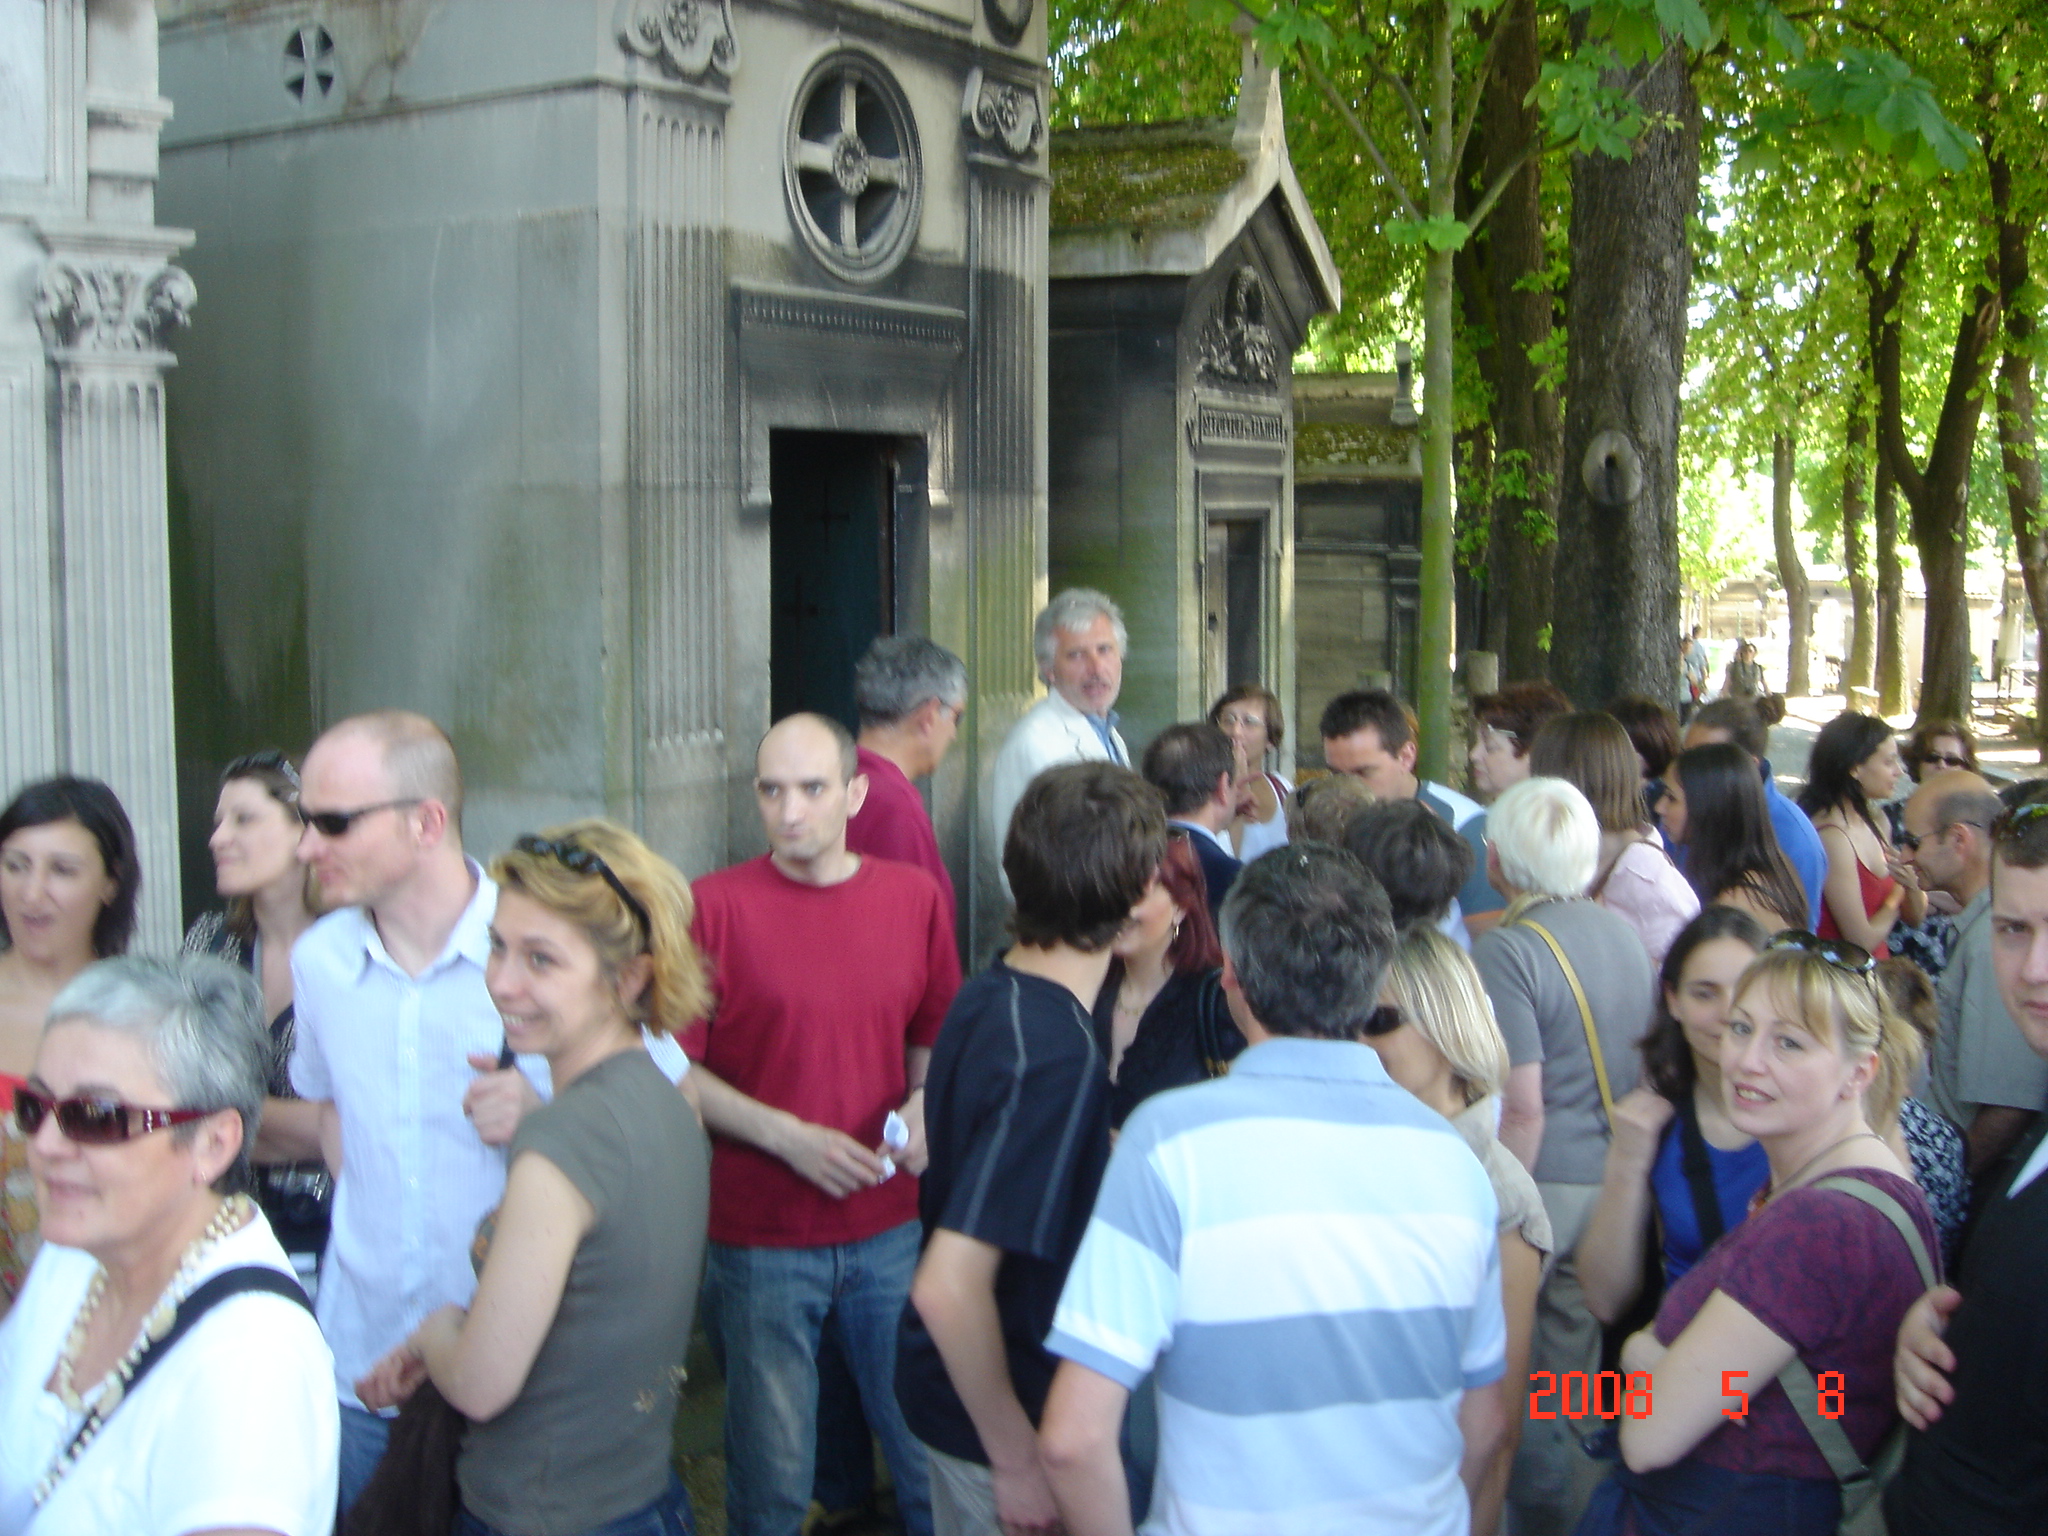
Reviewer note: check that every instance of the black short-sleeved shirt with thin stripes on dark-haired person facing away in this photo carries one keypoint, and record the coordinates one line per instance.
(1017, 1115)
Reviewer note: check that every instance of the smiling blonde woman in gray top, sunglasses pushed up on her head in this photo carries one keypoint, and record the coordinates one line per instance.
(570, 1357)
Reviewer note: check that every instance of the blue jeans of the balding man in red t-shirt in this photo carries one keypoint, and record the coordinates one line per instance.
(765, 1310)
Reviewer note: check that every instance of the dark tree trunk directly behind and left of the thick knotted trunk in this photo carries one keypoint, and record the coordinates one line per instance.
(1527, 427)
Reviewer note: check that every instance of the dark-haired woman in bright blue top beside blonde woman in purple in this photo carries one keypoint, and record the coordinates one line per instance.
(1674, 1150)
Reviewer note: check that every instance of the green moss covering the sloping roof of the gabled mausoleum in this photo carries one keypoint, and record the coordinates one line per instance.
(1144, 177)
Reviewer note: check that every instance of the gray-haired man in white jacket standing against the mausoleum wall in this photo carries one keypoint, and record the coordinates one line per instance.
(1080, 644)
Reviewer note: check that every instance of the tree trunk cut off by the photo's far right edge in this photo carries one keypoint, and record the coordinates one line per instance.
(2018, 445)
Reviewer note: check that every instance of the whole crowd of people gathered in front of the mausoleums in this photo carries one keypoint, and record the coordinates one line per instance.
(1584, 1154)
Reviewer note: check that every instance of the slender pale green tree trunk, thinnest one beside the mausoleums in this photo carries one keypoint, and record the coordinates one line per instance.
(1437, 597)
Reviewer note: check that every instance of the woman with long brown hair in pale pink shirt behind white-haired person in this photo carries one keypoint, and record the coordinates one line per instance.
(1635, 880)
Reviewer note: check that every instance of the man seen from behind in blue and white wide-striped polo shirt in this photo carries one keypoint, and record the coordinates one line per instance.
(1302, 1252)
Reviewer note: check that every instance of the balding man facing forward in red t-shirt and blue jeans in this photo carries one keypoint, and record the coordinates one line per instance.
(833, 976)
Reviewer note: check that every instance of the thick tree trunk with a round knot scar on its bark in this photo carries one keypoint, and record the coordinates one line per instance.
(1631, 271)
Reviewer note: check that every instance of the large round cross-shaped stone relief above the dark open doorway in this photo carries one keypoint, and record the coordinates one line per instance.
(853, 169)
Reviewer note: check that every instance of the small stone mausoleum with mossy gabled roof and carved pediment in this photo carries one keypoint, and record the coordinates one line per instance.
(1185, 271)
